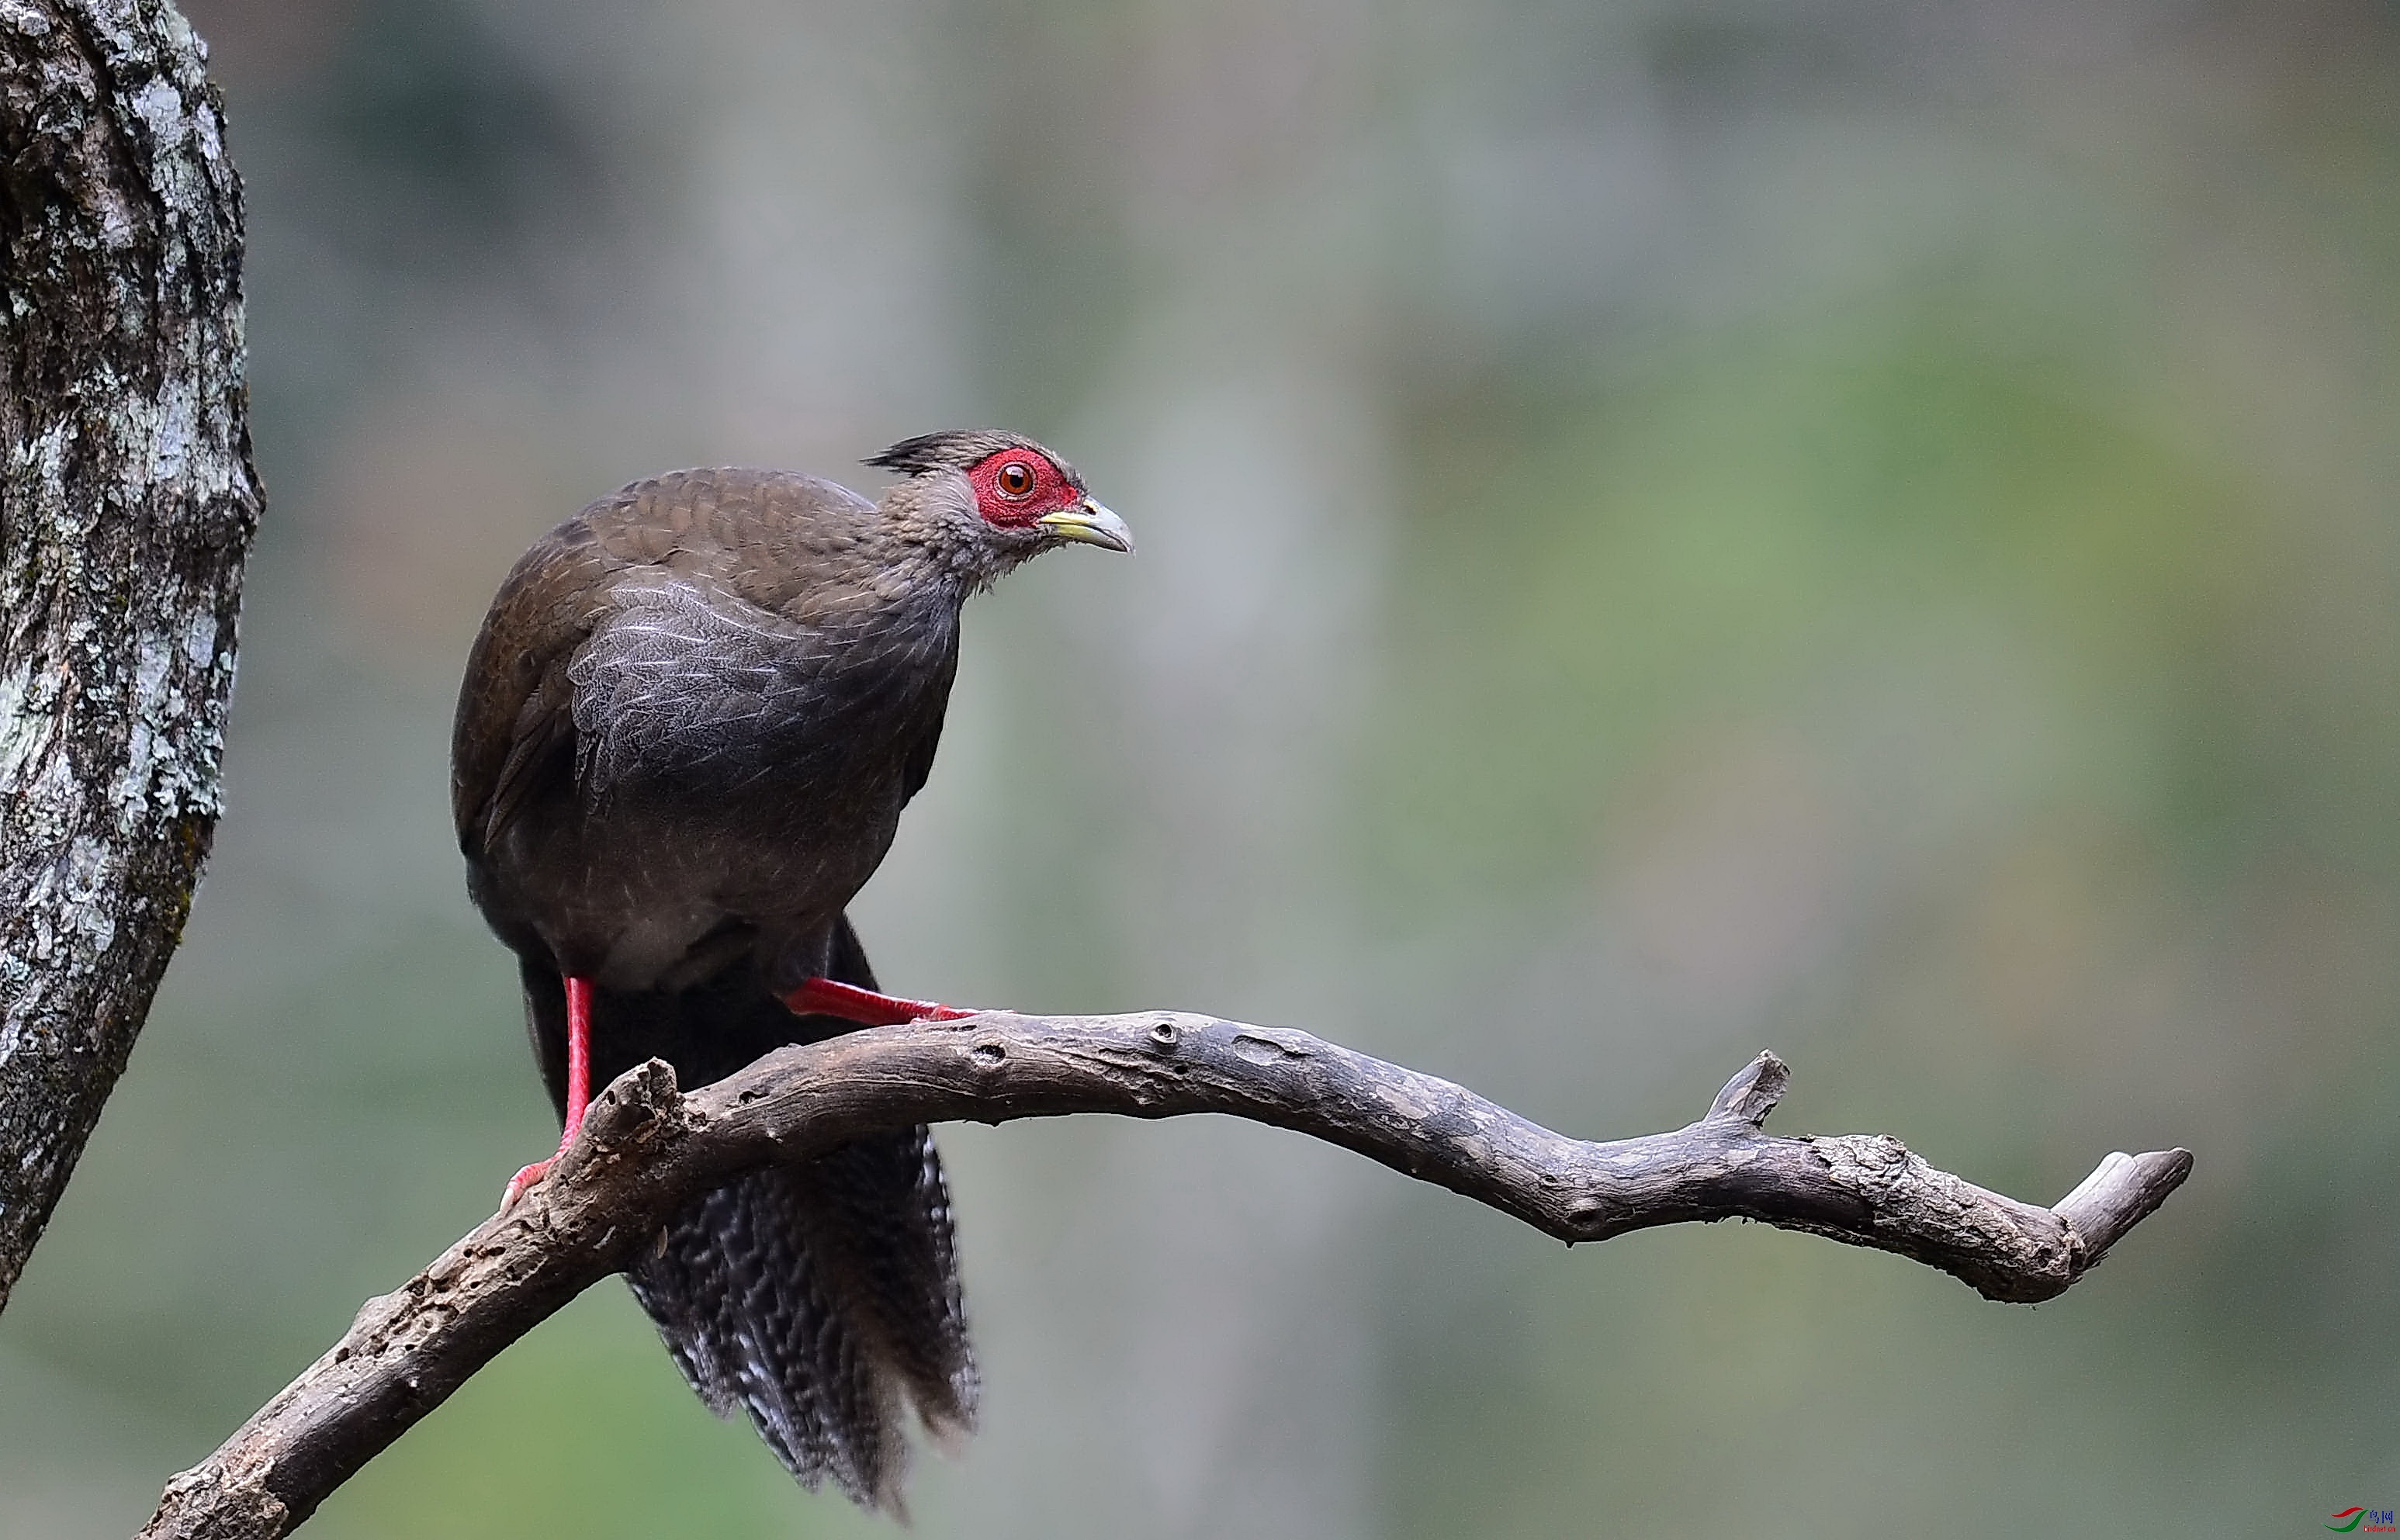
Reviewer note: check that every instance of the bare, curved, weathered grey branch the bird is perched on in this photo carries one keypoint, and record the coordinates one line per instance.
(647, 1150)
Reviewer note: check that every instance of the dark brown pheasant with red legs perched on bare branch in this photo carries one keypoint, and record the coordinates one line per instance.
(685, 740)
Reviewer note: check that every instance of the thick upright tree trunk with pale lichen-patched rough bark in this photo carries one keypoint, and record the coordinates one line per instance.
(126, 512)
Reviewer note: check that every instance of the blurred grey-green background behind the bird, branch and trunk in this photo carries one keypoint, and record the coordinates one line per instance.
(1852, 527)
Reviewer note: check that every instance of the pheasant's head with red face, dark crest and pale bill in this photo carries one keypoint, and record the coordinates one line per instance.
(992, 500)
